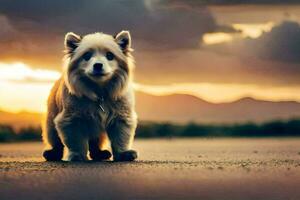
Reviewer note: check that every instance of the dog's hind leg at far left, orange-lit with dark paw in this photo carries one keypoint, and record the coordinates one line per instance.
(54, 146)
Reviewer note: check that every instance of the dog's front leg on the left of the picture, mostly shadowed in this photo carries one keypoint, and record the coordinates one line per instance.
(71, 131)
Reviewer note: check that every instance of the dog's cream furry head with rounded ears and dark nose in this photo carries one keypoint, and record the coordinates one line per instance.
(97, 64)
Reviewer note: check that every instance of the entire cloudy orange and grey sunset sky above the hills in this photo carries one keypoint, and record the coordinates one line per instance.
(211, 49)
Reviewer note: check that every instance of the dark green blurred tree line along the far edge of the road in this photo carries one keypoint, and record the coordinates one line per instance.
(288, 128)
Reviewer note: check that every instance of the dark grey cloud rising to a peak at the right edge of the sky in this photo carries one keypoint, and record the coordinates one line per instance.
(282, 44)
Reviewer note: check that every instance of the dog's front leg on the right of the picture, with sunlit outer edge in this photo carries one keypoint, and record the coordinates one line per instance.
(121, 134)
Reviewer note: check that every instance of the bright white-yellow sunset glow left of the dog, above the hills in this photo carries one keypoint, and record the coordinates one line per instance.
(24, 88)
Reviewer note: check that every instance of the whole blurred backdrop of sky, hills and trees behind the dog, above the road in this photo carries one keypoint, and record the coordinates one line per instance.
(203, 68)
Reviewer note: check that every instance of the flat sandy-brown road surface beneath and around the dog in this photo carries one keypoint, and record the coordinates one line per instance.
(167, 169)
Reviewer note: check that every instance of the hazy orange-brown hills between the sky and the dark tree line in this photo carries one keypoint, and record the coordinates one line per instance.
(183, 108)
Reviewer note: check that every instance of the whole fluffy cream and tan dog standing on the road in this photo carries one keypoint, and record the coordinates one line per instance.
(82, 106)
